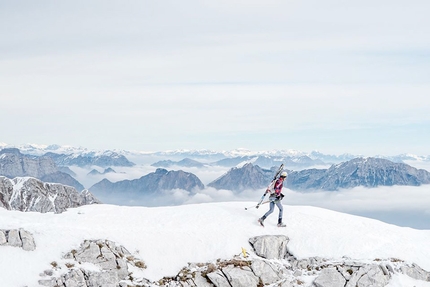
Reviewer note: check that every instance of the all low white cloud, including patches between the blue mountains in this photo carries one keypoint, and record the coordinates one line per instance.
(400, 205)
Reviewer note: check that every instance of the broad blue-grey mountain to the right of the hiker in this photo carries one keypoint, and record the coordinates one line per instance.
(367, 172)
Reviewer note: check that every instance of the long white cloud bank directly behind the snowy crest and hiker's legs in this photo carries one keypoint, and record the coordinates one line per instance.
(400, 205)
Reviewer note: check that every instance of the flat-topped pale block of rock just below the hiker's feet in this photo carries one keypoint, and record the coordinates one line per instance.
(270, 246)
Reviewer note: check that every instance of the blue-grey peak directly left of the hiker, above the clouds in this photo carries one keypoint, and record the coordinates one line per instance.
(248, 176)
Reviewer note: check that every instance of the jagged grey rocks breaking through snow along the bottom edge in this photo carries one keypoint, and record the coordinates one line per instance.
(270, 263)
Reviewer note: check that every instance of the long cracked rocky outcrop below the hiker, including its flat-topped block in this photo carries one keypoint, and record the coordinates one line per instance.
(284, 270)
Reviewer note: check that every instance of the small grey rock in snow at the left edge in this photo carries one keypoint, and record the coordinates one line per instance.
(17, 238)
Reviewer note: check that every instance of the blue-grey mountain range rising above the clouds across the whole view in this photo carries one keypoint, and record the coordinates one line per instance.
(244, 175)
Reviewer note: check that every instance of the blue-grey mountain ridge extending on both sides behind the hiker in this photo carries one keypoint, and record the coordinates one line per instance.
(368, 172)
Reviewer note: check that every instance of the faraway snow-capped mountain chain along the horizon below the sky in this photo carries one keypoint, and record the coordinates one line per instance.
(87, 156)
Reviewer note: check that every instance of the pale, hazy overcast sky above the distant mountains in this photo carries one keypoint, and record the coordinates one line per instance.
(334, 76)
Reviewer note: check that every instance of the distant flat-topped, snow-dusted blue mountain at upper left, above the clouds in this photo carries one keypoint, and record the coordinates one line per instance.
(105, 159)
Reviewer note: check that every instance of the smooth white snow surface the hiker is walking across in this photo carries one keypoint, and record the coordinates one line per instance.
(167, 238)
